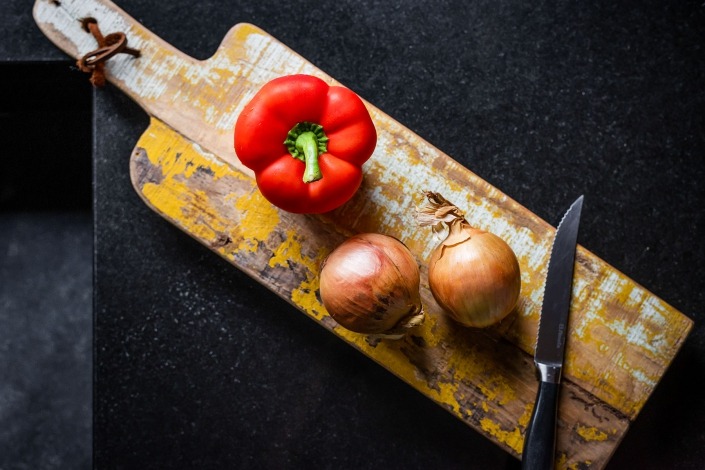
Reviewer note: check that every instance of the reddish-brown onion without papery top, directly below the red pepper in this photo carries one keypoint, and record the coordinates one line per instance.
(370, 284)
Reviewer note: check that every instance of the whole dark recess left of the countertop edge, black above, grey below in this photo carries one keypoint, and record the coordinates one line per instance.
(46, 266)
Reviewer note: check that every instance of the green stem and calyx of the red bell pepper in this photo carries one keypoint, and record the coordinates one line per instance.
(305, 142)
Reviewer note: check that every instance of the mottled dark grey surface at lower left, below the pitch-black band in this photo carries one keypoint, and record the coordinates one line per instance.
(45, 340)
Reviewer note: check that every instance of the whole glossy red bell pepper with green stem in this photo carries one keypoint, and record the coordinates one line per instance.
(306, 141)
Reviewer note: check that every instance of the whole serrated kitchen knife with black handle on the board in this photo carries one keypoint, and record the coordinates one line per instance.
(540, 439)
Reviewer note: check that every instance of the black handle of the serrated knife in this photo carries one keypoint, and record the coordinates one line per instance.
(540, 440)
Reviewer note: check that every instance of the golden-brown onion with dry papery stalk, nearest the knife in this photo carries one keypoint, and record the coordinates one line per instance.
(473, 275)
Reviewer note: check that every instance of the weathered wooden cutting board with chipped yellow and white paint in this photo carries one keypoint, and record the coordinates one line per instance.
(622, 338)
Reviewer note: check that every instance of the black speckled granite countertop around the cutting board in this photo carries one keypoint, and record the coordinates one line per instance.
(199, 366)
